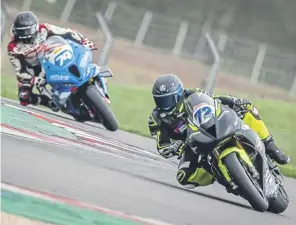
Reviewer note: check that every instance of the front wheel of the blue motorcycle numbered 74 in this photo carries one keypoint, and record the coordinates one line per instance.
(103, 110)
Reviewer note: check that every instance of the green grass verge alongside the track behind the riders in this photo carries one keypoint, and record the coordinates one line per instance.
(132, 105)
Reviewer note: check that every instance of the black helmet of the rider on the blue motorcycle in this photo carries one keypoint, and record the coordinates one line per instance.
(25, 27)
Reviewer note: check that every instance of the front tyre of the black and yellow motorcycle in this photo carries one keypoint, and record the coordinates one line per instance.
(246, 186)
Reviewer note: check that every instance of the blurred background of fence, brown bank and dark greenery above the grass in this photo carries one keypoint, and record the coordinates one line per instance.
(256, 40)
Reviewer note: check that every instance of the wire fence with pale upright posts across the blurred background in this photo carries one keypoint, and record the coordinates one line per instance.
(259, 62)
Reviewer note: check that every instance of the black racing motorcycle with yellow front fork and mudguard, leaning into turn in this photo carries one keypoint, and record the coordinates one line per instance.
(234, 154)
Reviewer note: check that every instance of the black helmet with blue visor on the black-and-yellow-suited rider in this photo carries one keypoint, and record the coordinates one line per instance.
(168, 93)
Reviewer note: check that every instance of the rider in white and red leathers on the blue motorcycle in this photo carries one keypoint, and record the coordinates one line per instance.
(28, 35)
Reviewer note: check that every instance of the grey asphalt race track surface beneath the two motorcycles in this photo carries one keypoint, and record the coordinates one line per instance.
(145, 188)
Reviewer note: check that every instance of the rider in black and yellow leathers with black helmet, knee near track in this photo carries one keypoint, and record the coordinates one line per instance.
(167, 124)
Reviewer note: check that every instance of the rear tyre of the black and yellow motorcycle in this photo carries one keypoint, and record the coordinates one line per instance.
(280, 203)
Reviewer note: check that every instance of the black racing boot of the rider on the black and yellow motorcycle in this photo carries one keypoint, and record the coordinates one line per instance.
(274, 152)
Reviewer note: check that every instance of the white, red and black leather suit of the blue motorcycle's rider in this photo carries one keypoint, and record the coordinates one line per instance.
(23, 58)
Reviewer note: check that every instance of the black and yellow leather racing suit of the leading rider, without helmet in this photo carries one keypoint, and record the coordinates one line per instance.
(170, 133)
